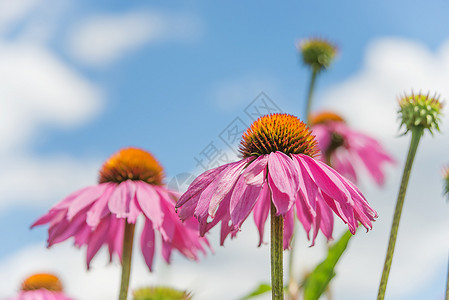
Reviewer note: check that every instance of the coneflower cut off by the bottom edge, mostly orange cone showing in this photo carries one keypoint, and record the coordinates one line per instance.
(41, 286)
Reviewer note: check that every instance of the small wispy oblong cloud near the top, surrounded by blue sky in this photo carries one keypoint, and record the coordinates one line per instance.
(103, 39)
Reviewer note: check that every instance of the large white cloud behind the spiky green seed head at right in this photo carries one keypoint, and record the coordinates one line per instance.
(368, 100)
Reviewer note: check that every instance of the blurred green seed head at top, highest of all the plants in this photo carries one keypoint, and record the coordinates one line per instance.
(317, 53)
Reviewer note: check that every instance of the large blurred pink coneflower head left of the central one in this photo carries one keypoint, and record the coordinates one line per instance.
(130, 185)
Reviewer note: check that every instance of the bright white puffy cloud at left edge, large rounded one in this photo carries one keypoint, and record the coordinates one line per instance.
(39, 89)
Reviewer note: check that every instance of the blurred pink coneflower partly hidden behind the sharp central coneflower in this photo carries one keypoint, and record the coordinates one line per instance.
(344, 148)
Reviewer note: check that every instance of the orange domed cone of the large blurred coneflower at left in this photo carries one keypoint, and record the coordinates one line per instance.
(132, 164)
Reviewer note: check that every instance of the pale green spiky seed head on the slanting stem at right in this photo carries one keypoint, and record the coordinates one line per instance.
(420, 111)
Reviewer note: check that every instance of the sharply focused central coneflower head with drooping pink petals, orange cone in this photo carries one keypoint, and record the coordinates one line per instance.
(277, 167)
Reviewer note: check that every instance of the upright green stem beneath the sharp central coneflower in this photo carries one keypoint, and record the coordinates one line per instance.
(277, 237)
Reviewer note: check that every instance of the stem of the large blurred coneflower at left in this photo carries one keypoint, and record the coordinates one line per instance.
(126, 259)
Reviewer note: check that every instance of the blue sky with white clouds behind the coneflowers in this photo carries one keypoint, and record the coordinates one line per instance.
(80, 80)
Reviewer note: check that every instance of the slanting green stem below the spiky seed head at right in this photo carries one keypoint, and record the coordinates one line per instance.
(417, 132)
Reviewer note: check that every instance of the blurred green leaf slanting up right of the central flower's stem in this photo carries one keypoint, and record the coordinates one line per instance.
(317, 281)
